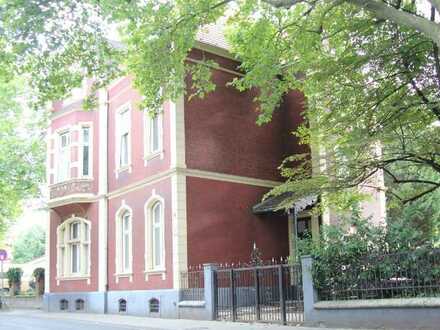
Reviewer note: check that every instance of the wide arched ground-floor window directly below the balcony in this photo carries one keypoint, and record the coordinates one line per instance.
(73, 248)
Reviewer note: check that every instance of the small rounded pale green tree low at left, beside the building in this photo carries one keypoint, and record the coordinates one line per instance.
(30, 245)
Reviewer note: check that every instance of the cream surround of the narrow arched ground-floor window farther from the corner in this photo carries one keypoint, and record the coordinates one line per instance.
(121, 270)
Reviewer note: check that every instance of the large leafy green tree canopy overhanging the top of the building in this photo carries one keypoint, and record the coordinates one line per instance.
(370, 71)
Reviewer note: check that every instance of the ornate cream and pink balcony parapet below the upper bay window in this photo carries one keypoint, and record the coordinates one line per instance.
(71, 191)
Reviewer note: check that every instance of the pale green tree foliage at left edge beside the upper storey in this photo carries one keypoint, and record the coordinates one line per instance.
(21, 150)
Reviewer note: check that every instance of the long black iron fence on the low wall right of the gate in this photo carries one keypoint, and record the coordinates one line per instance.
(398, 275)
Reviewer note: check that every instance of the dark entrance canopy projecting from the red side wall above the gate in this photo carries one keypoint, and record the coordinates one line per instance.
(276, 203)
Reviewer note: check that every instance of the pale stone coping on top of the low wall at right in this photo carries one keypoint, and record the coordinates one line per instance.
(379, 303)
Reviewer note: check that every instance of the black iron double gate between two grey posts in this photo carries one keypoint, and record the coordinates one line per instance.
(260, 294)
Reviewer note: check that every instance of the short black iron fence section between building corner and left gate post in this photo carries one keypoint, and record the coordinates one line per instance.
(192, 284)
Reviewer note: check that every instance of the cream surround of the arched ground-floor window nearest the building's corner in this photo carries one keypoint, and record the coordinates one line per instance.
(150, 266)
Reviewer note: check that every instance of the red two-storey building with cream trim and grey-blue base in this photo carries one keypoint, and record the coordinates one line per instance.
(135, 200)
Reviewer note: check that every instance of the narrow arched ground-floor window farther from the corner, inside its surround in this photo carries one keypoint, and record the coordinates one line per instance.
(124, 241)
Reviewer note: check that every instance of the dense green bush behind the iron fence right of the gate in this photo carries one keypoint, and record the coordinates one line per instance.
(354, 258)
